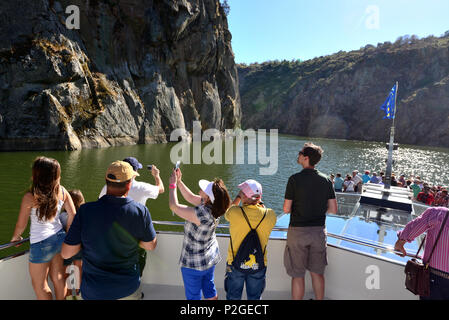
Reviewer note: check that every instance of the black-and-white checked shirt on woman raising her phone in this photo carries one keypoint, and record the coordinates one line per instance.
(200, 249)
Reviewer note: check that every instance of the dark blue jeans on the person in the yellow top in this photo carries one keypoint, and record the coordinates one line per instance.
(234, 281)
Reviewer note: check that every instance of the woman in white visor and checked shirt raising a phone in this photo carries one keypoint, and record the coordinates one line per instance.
(200, 252)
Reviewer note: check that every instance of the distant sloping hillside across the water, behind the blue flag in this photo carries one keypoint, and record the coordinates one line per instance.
(339, 96)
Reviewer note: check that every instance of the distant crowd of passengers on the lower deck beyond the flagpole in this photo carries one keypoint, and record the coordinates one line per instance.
(436, 196)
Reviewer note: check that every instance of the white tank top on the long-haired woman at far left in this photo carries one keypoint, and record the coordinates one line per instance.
(41, 230)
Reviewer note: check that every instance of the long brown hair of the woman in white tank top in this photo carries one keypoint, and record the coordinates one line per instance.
(45, 186)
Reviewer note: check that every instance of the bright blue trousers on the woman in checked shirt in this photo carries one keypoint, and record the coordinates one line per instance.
(196, 281)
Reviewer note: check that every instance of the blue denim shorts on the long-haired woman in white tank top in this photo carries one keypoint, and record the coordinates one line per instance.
(44, 251)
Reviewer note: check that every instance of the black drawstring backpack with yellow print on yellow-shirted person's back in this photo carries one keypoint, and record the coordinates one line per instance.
(250, 256)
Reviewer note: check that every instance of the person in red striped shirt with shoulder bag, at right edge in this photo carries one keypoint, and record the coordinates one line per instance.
(430, 221)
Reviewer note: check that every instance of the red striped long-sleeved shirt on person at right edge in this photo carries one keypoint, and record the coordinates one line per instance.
(431, 221)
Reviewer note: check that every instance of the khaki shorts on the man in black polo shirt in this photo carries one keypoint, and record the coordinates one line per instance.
(305, 250)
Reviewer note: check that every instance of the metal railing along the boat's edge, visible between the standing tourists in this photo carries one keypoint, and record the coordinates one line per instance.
(226, 226)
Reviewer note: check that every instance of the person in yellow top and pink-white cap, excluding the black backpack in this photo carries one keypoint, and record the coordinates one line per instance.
(250, 195)
